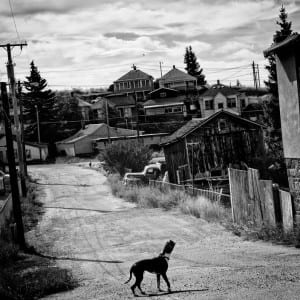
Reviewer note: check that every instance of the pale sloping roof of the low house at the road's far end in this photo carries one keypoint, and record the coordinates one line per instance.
(91, 130)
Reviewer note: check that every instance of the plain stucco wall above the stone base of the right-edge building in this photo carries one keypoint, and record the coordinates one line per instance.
(289, 104)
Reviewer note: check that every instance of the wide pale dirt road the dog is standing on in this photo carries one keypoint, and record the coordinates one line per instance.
(99, 236)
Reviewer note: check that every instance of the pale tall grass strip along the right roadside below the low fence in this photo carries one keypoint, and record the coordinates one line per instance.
(150, 197)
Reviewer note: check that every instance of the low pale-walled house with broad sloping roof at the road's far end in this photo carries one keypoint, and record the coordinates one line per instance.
(81, 142)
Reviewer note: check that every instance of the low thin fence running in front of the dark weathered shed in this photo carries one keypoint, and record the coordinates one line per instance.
(211, 194)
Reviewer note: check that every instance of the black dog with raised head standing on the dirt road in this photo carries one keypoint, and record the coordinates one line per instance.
(157, 265)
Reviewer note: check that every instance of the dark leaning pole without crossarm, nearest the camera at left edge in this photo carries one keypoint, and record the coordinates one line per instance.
(12, 169)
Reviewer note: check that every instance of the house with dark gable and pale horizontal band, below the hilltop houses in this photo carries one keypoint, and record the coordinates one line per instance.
(165, 102)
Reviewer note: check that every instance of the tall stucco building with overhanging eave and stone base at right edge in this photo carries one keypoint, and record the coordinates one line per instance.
(287, 54)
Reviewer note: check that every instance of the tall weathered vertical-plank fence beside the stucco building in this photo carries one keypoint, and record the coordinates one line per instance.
(258, 201)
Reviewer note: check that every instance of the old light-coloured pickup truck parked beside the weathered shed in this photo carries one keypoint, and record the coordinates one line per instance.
(150, 172)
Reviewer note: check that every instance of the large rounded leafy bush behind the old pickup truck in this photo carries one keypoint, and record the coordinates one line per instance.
(126, 155)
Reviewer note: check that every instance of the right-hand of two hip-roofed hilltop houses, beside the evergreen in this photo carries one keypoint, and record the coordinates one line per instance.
(179, 80)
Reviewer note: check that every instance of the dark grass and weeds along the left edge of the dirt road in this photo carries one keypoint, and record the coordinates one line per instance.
(25, 276)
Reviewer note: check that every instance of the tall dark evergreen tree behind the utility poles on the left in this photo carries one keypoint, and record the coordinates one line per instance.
(41, 101)
